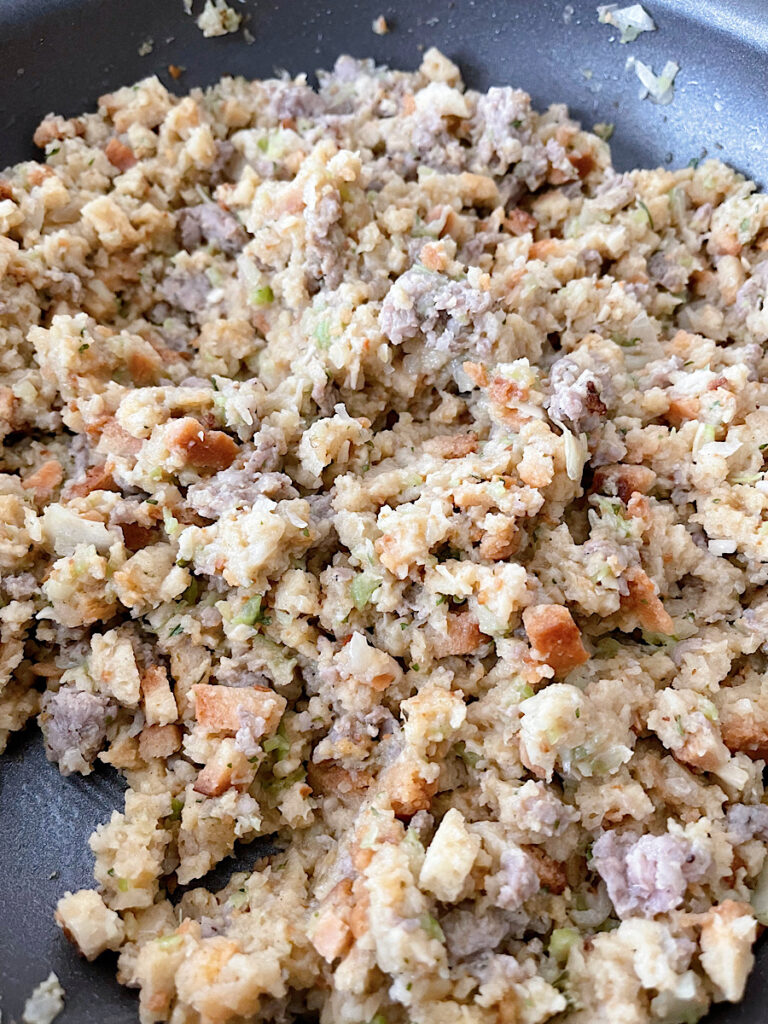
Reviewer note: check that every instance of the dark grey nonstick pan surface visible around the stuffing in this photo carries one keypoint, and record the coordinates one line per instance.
(62, 55)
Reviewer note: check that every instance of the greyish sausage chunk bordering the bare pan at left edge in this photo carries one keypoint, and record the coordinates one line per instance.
(74, 724)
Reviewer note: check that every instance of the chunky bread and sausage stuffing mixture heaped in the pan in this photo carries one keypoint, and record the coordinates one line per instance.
(387, 475)
